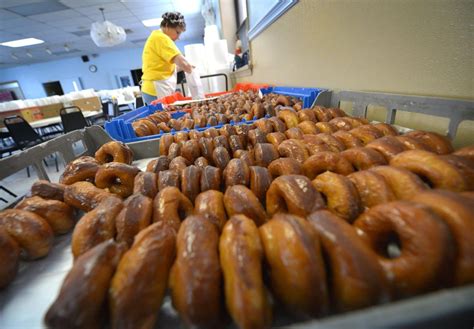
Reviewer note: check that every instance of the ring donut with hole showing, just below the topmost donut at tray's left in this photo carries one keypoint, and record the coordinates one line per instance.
(117, 177)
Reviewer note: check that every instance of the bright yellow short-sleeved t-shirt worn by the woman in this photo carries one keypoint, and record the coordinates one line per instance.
(157, 59)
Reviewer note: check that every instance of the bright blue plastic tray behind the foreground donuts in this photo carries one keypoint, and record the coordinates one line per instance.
(121, 128)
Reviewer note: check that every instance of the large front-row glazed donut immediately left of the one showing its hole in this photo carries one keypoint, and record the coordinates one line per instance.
(350, 261)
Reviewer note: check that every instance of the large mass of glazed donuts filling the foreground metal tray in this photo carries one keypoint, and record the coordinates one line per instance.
(310, 210)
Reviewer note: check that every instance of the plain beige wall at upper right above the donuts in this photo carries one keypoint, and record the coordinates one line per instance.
(400, 46)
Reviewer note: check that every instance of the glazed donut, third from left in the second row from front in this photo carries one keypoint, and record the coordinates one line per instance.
(171, 207)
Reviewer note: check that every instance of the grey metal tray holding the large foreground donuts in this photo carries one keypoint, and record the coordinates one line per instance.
(25, 301)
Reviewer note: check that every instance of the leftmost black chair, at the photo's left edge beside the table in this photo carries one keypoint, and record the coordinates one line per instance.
(24, 135)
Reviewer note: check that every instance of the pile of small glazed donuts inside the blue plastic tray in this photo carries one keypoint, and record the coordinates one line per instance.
(234, 107)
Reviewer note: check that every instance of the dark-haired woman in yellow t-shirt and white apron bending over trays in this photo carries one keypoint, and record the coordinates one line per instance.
(160, 58)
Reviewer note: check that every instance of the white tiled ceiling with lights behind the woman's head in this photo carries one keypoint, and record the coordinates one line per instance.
(69, 21)
